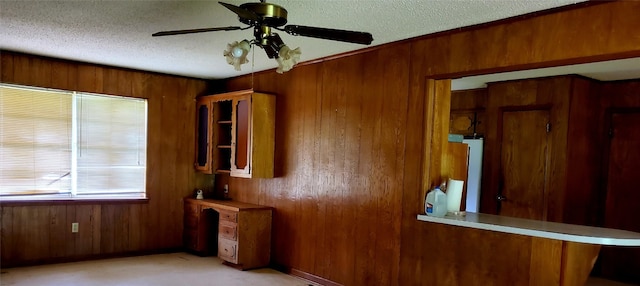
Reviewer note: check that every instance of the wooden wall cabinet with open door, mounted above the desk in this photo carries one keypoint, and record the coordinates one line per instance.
(235, 134)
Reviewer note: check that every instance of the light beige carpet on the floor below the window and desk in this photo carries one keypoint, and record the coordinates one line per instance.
(162, 269)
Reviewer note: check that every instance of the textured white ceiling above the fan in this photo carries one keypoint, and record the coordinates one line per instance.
(118, 33)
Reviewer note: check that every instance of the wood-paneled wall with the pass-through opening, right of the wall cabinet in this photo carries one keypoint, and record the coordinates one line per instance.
(350, 132)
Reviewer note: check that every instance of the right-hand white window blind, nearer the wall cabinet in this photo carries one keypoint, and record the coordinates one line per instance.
(111, 151)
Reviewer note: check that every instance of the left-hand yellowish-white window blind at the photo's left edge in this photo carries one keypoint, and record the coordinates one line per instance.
(35, 141)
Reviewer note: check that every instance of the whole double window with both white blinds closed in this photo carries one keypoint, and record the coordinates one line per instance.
(70, 145)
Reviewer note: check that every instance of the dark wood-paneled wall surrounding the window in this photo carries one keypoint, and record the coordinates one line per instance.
(40, 233)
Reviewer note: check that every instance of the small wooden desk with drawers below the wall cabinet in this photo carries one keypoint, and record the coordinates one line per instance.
(241, 231)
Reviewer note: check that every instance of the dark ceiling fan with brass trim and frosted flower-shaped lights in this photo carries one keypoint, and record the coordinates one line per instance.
(264, 18)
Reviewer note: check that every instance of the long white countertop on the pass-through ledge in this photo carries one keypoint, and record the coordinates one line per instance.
(544, 229)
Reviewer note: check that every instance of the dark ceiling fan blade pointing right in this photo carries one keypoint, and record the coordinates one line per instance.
(330, 34)
